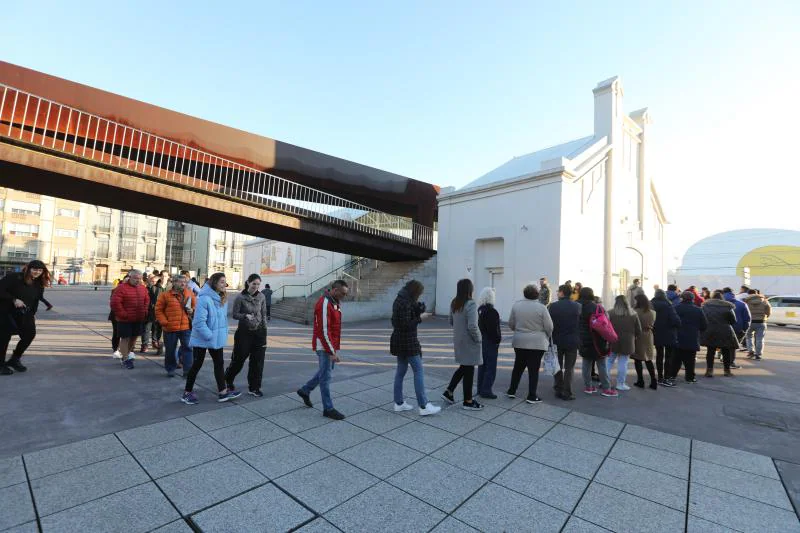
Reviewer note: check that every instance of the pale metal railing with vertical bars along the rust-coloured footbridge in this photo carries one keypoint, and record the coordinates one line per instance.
(35, 120)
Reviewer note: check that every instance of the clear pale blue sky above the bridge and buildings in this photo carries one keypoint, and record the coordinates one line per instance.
(446, 91)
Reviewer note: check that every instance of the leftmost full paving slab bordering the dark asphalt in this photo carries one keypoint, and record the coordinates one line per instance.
(68, 456)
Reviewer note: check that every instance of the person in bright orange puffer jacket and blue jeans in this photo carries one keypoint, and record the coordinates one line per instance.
(174, 311)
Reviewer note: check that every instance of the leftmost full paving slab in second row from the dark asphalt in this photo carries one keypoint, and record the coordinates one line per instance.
(80, 485)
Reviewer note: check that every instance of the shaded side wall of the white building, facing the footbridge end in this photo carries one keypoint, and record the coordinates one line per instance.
(499, 212)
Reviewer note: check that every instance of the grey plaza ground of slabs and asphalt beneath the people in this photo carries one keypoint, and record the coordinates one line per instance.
(91, 447)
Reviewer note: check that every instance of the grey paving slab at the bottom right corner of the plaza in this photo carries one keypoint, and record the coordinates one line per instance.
(739, 513)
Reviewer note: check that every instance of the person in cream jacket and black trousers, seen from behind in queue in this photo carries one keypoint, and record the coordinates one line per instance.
(533, 328)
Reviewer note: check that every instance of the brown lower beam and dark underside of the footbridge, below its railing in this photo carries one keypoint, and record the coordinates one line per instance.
(44, 173)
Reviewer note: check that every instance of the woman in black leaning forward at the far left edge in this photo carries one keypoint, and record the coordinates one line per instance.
(20, 293)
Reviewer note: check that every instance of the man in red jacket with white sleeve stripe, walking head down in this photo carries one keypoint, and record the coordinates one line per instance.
(326, 339)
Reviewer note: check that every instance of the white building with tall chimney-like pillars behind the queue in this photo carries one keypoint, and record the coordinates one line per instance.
(585, 210)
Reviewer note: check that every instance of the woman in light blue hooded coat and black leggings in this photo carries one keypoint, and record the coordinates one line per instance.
(210, 332)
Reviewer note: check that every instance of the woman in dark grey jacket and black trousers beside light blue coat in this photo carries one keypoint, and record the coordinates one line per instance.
(250, 339)
